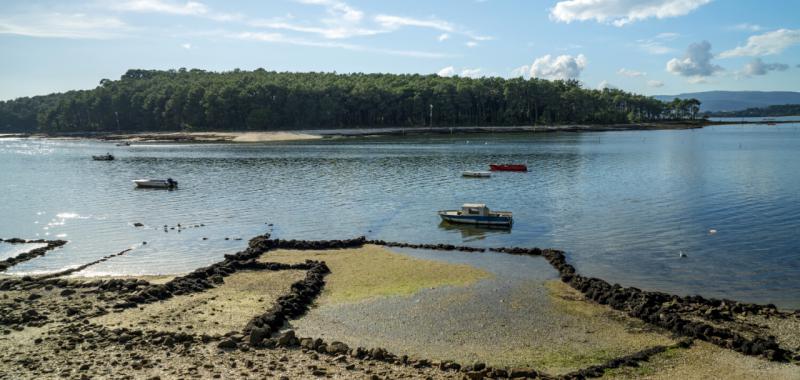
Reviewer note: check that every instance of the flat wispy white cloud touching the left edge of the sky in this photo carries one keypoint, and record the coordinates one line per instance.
(58, 25)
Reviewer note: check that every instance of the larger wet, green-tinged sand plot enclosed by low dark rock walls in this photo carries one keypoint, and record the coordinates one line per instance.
(506, 319)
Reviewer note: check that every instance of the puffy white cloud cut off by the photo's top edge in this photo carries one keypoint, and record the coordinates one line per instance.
(621, 12)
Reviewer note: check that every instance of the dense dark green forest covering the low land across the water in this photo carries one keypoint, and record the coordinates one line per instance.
(198, 100)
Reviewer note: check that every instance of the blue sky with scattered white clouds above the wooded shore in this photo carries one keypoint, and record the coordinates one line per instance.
(646, 46)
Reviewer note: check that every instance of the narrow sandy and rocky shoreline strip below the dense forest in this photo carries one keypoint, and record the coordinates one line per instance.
(313, 134)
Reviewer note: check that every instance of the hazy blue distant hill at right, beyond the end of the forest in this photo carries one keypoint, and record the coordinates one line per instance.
(715, 101)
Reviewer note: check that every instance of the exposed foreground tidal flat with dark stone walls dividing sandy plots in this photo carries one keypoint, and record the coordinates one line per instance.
(371, 309)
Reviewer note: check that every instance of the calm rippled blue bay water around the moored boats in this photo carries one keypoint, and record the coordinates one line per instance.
(622, 204)
